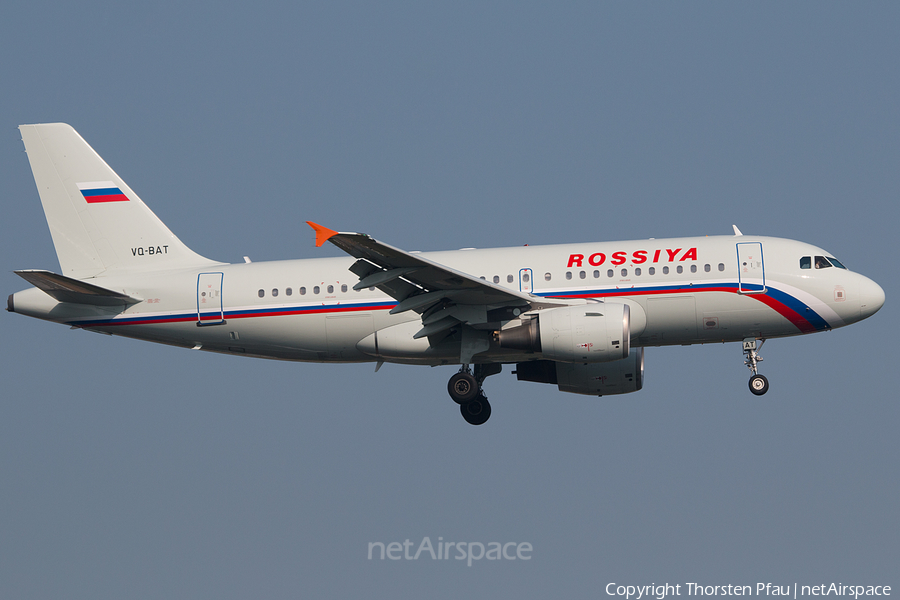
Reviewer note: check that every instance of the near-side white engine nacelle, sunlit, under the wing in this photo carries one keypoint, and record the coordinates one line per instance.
(586, 333)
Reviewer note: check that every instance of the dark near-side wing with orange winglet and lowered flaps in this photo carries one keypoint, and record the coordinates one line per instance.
(443, 296)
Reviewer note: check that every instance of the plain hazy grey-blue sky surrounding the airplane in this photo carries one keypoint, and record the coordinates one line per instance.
(134, 470)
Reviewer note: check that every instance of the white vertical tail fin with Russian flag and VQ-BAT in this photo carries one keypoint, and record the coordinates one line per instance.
(98, 224)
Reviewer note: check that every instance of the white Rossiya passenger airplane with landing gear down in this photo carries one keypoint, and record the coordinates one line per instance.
(574, 315)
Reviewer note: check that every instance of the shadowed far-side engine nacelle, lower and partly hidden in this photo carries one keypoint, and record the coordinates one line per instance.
(599, 379)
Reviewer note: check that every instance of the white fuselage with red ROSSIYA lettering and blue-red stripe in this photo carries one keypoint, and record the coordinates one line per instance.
(680, 290)
